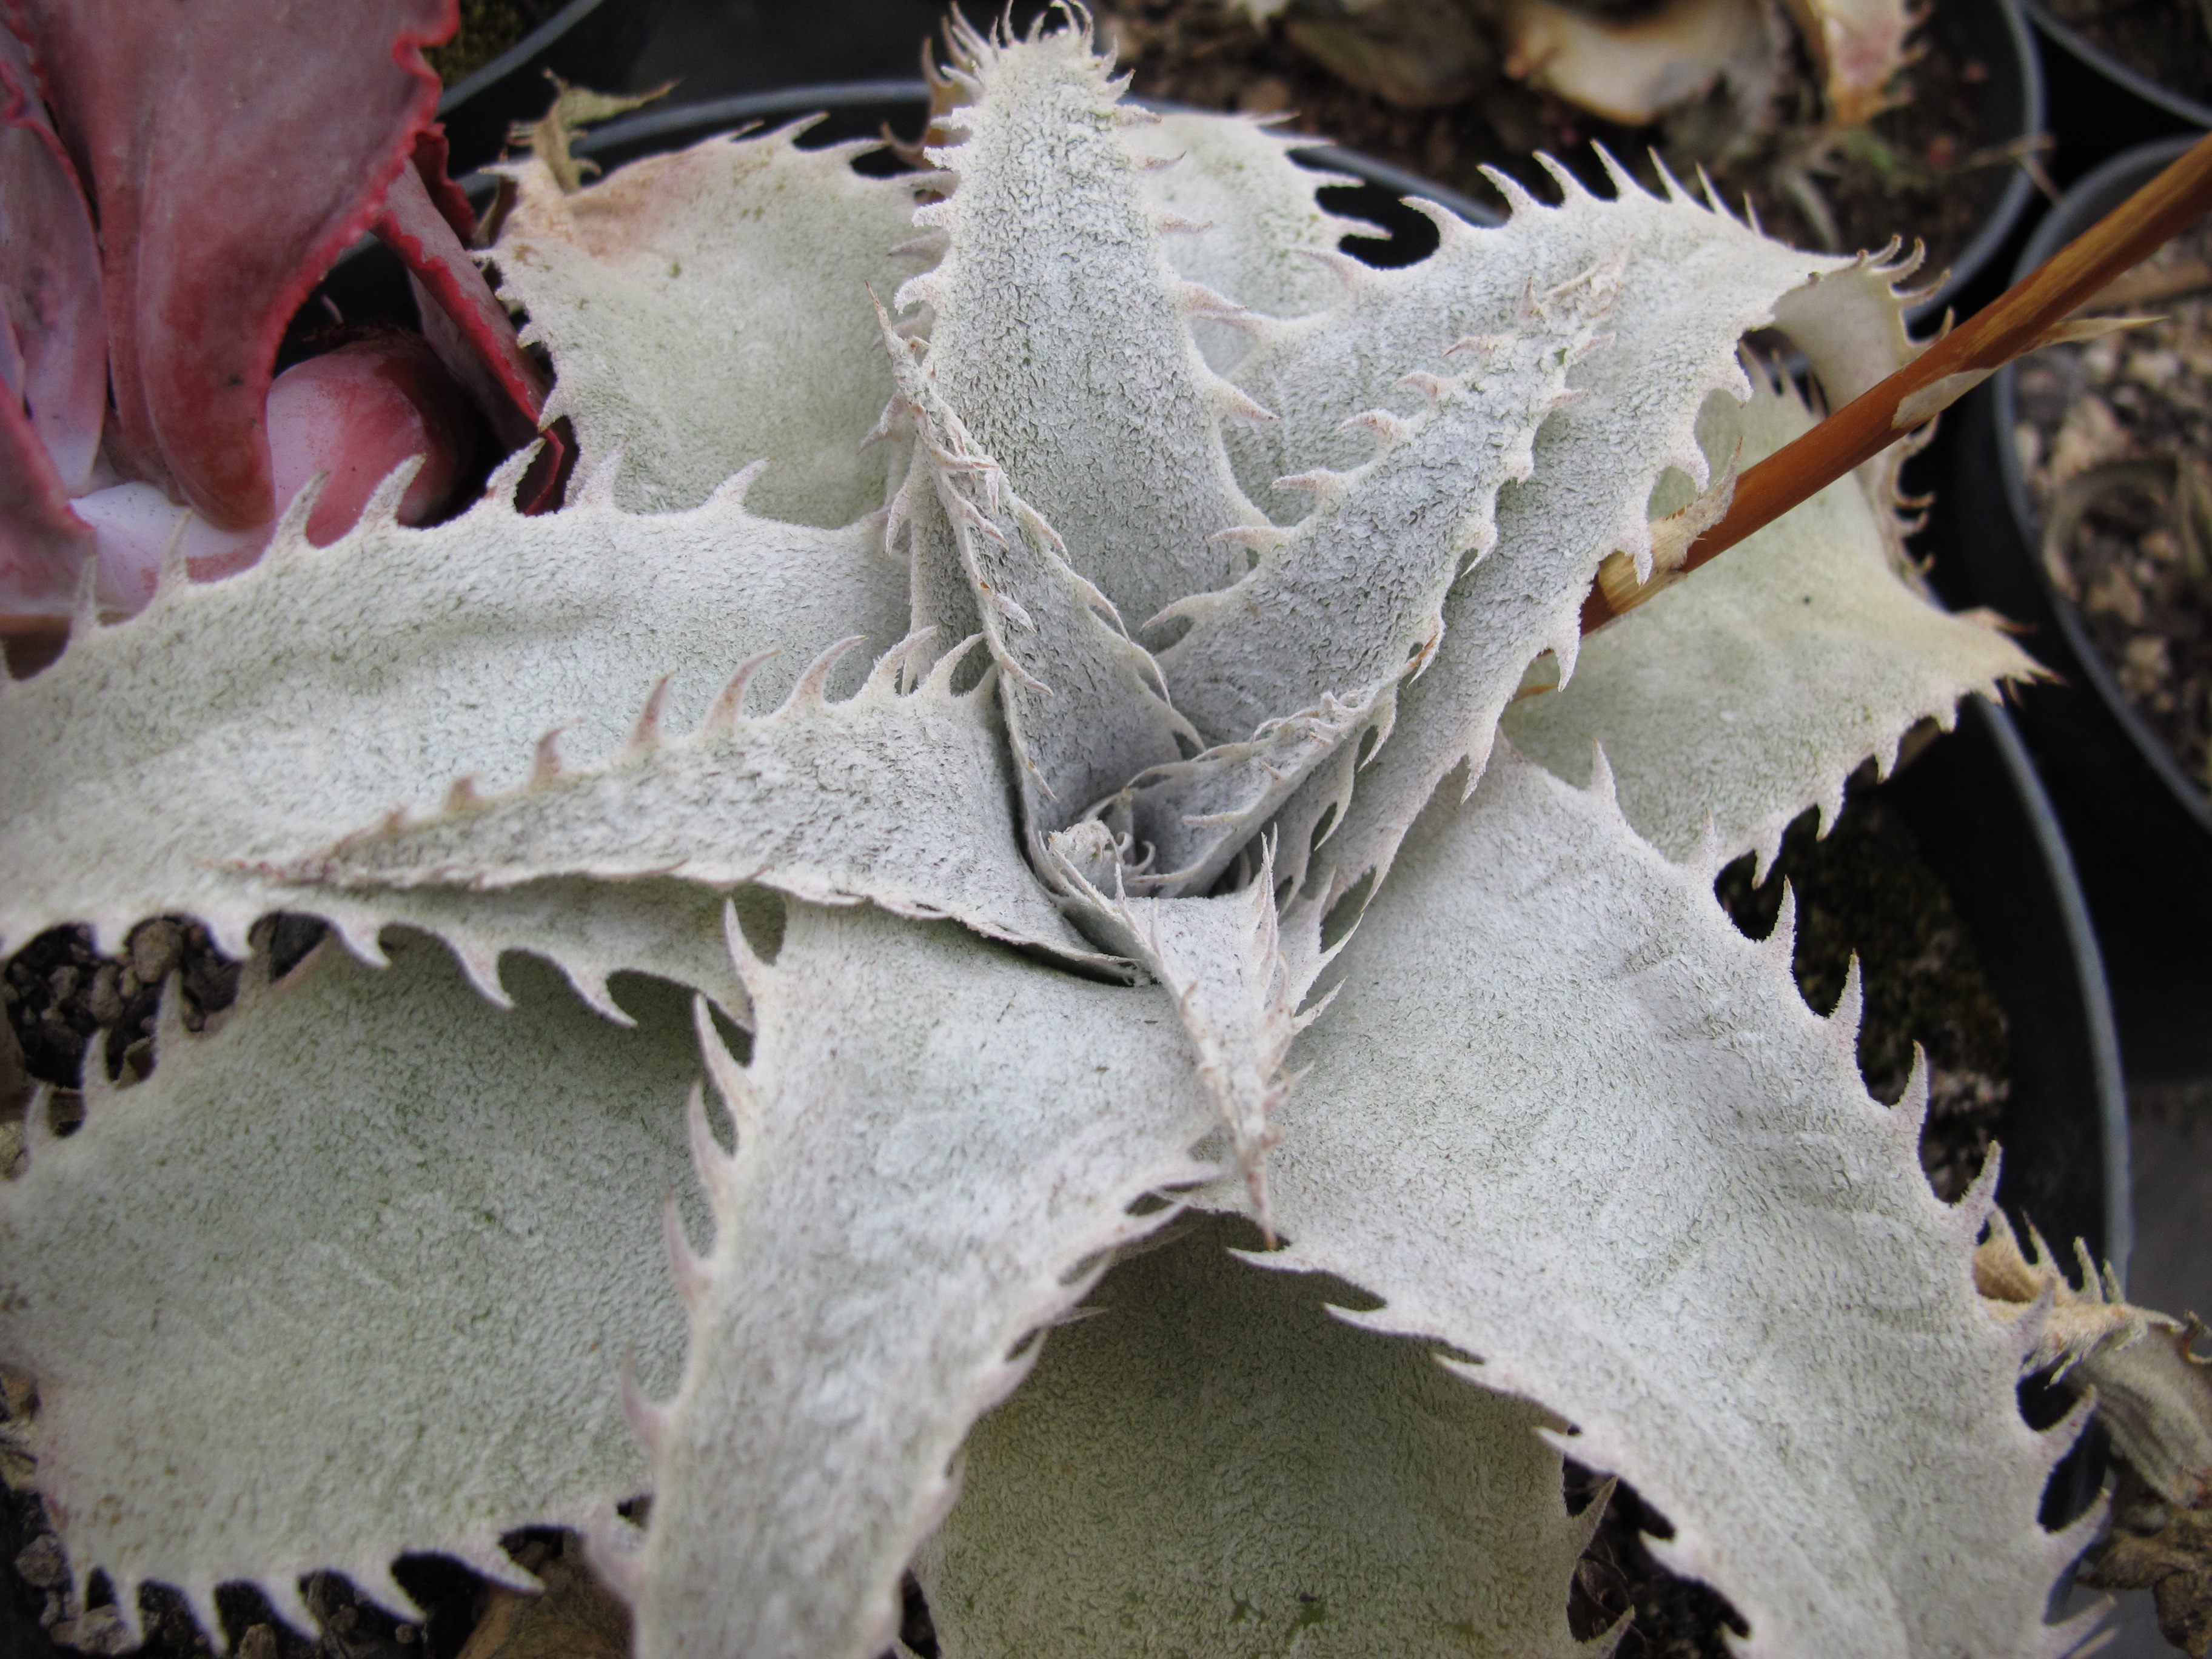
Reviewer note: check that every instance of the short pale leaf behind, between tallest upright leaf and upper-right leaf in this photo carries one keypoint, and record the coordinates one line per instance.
(1242, 220)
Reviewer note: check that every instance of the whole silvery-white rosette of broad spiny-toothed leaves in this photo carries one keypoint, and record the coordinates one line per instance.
(1200, 570)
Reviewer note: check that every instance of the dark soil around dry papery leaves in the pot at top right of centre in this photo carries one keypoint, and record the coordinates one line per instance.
(1926, 169)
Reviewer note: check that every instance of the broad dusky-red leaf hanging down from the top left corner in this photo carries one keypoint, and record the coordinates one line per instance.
(231, 154)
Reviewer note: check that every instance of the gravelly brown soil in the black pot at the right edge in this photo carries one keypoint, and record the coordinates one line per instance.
(2114, 441)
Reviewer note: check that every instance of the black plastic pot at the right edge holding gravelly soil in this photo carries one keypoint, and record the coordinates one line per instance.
(2080, 724)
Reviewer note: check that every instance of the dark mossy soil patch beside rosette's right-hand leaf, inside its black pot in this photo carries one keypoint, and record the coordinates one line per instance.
(1866, 890)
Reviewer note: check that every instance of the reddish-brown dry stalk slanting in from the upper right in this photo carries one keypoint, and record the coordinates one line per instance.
(2021, 320)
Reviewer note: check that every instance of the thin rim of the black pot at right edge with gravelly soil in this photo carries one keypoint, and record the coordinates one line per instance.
(2076, 213)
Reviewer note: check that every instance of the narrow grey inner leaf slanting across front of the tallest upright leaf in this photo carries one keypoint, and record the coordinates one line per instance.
(1085, 702)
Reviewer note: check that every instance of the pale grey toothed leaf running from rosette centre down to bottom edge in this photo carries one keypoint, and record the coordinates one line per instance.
(932, 1142)
